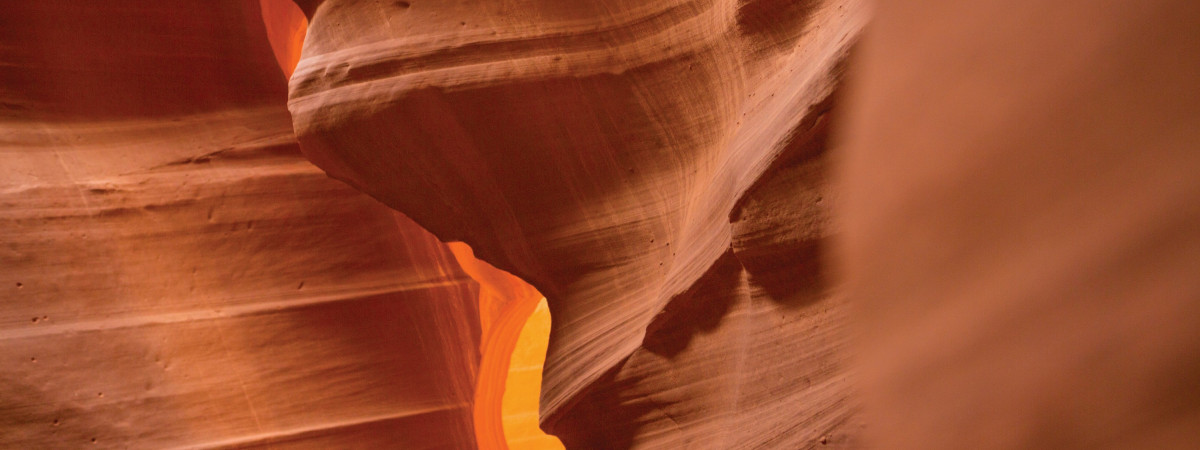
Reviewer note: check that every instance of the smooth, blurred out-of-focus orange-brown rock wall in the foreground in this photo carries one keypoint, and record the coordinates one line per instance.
(1023, 224)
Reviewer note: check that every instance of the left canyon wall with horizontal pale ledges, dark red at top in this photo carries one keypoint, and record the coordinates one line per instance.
(173, 273)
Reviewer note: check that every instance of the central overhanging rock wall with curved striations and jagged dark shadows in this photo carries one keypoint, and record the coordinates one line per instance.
(656, 169)
